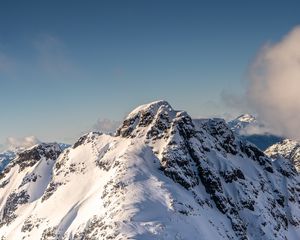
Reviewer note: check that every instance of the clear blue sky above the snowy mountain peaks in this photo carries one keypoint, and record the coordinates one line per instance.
(66, 64)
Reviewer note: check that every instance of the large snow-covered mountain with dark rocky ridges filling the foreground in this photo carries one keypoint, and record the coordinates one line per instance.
(161, 176)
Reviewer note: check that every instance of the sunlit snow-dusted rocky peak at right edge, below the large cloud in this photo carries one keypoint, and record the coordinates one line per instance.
(288, 149)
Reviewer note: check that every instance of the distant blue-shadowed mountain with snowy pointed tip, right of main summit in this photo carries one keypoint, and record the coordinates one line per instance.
(252, 130)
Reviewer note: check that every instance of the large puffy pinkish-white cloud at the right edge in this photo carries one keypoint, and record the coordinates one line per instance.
(274, 85)
